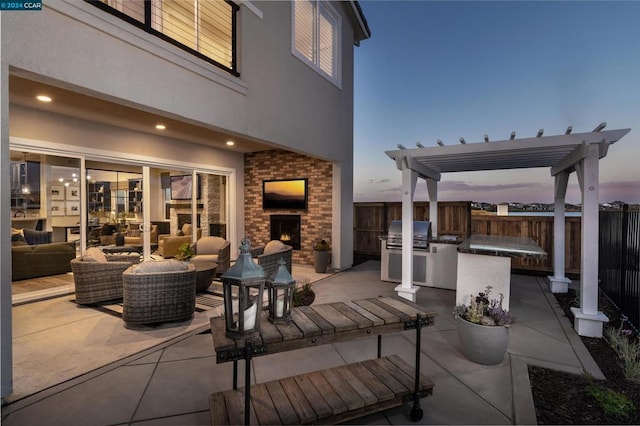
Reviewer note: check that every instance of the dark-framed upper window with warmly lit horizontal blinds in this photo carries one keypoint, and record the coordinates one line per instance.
(206, 28)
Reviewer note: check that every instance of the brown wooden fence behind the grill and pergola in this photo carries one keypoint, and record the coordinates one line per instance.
(371, 220)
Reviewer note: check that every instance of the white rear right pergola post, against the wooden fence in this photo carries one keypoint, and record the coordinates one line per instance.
(559, 282)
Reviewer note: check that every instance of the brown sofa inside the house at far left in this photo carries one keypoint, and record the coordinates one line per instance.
(34, 255)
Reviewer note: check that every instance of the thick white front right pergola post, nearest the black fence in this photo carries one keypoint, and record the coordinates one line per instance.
(588, 320)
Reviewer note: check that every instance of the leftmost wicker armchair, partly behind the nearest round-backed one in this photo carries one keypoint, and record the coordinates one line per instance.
(100, 281)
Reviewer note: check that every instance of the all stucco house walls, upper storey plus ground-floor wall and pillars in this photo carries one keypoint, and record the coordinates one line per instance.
(277, 99)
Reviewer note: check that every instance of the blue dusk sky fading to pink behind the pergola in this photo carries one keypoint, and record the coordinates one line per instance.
(444, 70)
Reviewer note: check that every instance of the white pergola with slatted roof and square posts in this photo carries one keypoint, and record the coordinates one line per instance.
(579, 152)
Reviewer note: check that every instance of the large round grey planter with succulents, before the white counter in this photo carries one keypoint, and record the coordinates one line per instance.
(483, 328)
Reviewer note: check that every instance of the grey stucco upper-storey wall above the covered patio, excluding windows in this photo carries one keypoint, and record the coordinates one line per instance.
(276, 99)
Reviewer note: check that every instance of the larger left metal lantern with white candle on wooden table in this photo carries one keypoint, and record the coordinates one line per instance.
(243, 286)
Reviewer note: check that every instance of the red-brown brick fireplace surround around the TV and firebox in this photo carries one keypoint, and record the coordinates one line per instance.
(279, 164)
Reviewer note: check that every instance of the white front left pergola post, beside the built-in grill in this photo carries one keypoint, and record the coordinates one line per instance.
(406, 289)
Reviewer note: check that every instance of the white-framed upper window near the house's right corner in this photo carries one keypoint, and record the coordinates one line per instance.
(316, 37)
